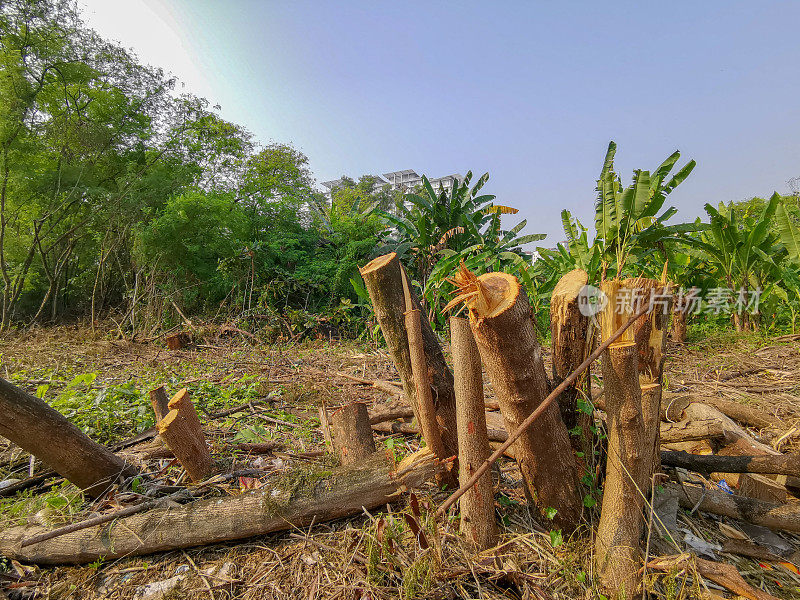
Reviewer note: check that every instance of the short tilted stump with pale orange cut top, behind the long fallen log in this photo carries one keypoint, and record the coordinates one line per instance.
(181, 431)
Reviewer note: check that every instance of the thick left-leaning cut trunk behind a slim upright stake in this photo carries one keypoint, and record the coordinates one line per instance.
(384, 283)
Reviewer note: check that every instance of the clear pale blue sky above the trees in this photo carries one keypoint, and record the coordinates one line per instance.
(529, 91)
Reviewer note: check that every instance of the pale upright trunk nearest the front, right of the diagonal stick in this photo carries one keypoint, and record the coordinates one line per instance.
(617, 556)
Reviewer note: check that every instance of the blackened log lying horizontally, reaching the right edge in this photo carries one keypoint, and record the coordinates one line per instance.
(784, 464)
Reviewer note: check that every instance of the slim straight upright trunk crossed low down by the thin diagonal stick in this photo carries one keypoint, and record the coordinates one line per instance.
(477, 505)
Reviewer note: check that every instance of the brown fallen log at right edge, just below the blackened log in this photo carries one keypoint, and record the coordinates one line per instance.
(784, 517)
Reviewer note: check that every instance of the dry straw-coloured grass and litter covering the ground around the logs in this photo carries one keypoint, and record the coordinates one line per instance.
(374, 555)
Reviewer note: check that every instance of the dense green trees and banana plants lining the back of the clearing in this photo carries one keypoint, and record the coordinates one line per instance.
(121, 196)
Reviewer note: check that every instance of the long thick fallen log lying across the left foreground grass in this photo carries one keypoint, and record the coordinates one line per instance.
(373, 483)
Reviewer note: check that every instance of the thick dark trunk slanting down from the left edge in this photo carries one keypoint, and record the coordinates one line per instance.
(39, 429)
